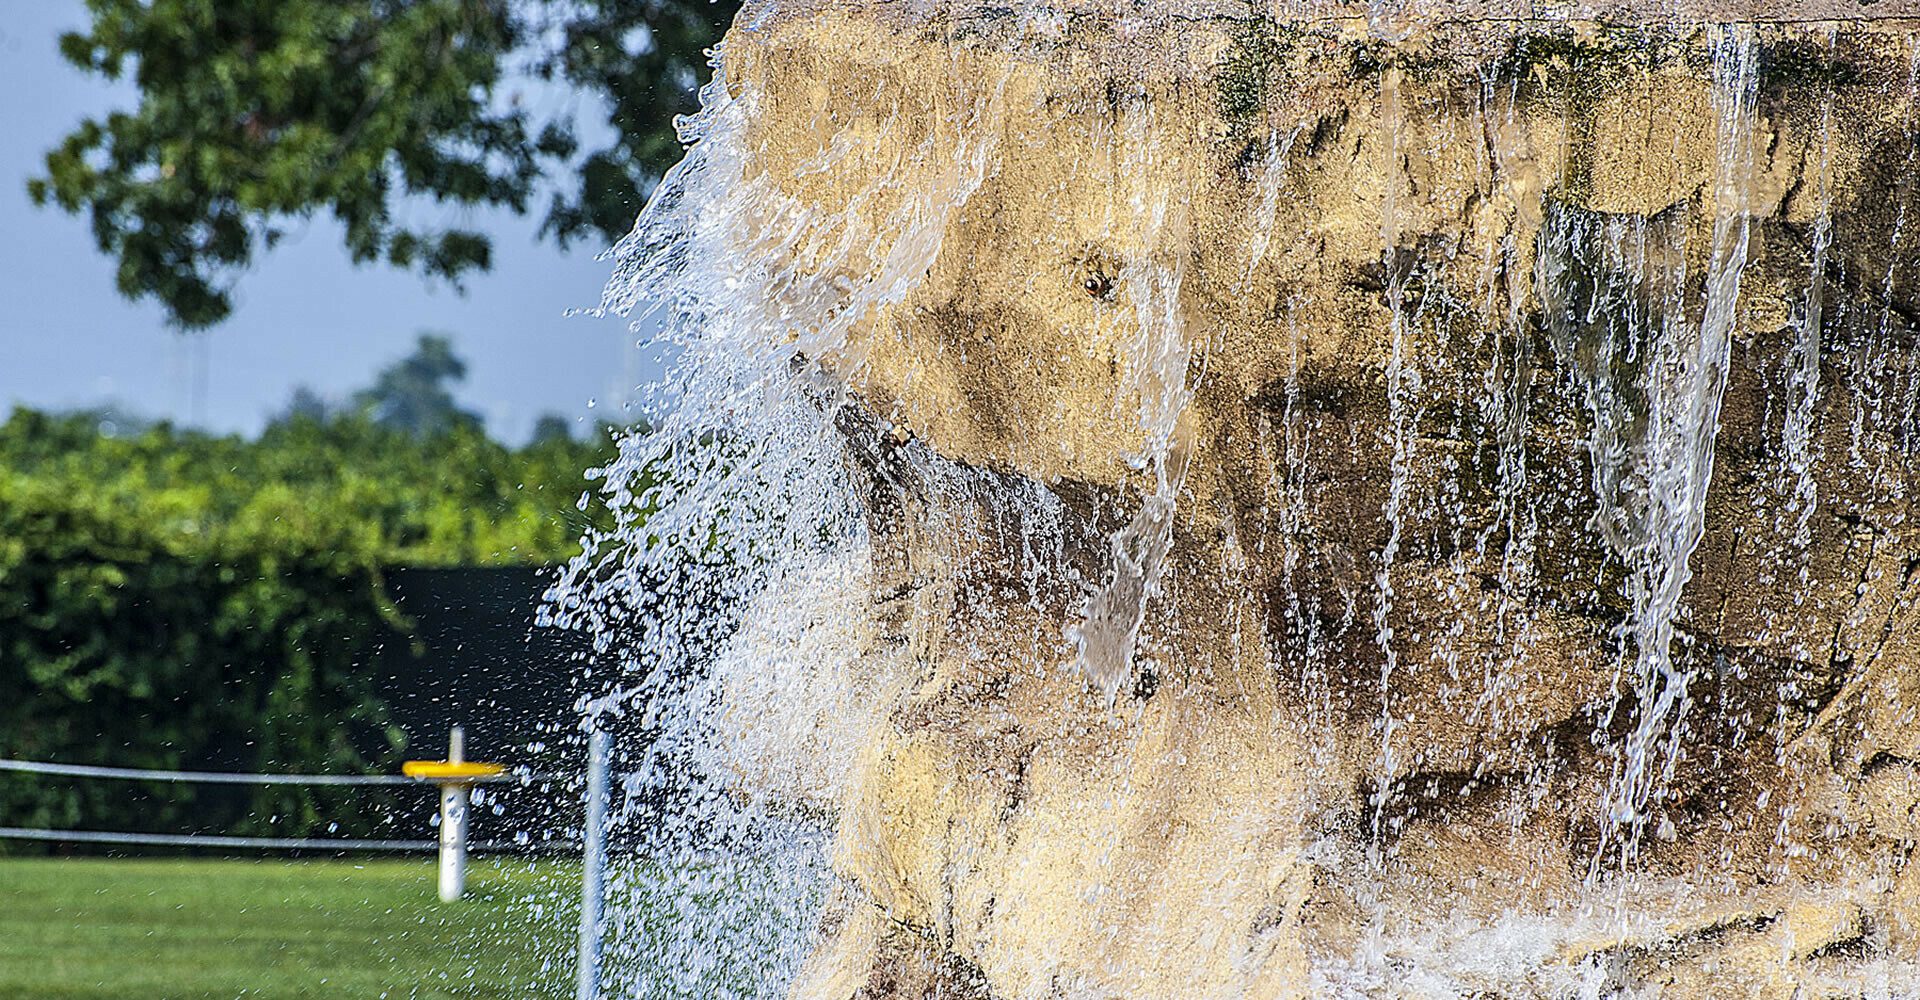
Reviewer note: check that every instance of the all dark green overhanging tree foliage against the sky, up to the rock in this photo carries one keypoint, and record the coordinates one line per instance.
(262, 112)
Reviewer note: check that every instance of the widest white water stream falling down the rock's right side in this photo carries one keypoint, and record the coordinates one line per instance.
(1614, 295)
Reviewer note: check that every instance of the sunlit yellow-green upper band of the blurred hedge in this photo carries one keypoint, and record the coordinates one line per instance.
(348, 487)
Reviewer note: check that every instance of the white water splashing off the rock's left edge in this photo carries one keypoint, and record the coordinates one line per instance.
(713, 510)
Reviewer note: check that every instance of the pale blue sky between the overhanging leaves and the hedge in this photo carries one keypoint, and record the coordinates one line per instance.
(306, 316)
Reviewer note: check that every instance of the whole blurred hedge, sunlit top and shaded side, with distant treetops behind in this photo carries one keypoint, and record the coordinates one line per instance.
(180, 600)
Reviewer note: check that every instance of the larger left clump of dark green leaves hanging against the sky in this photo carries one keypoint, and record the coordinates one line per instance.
(256, 112)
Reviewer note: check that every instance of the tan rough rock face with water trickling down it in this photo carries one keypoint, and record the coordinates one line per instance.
(1401, 508)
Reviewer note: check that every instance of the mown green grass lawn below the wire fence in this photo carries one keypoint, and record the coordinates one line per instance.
(160, 930)
